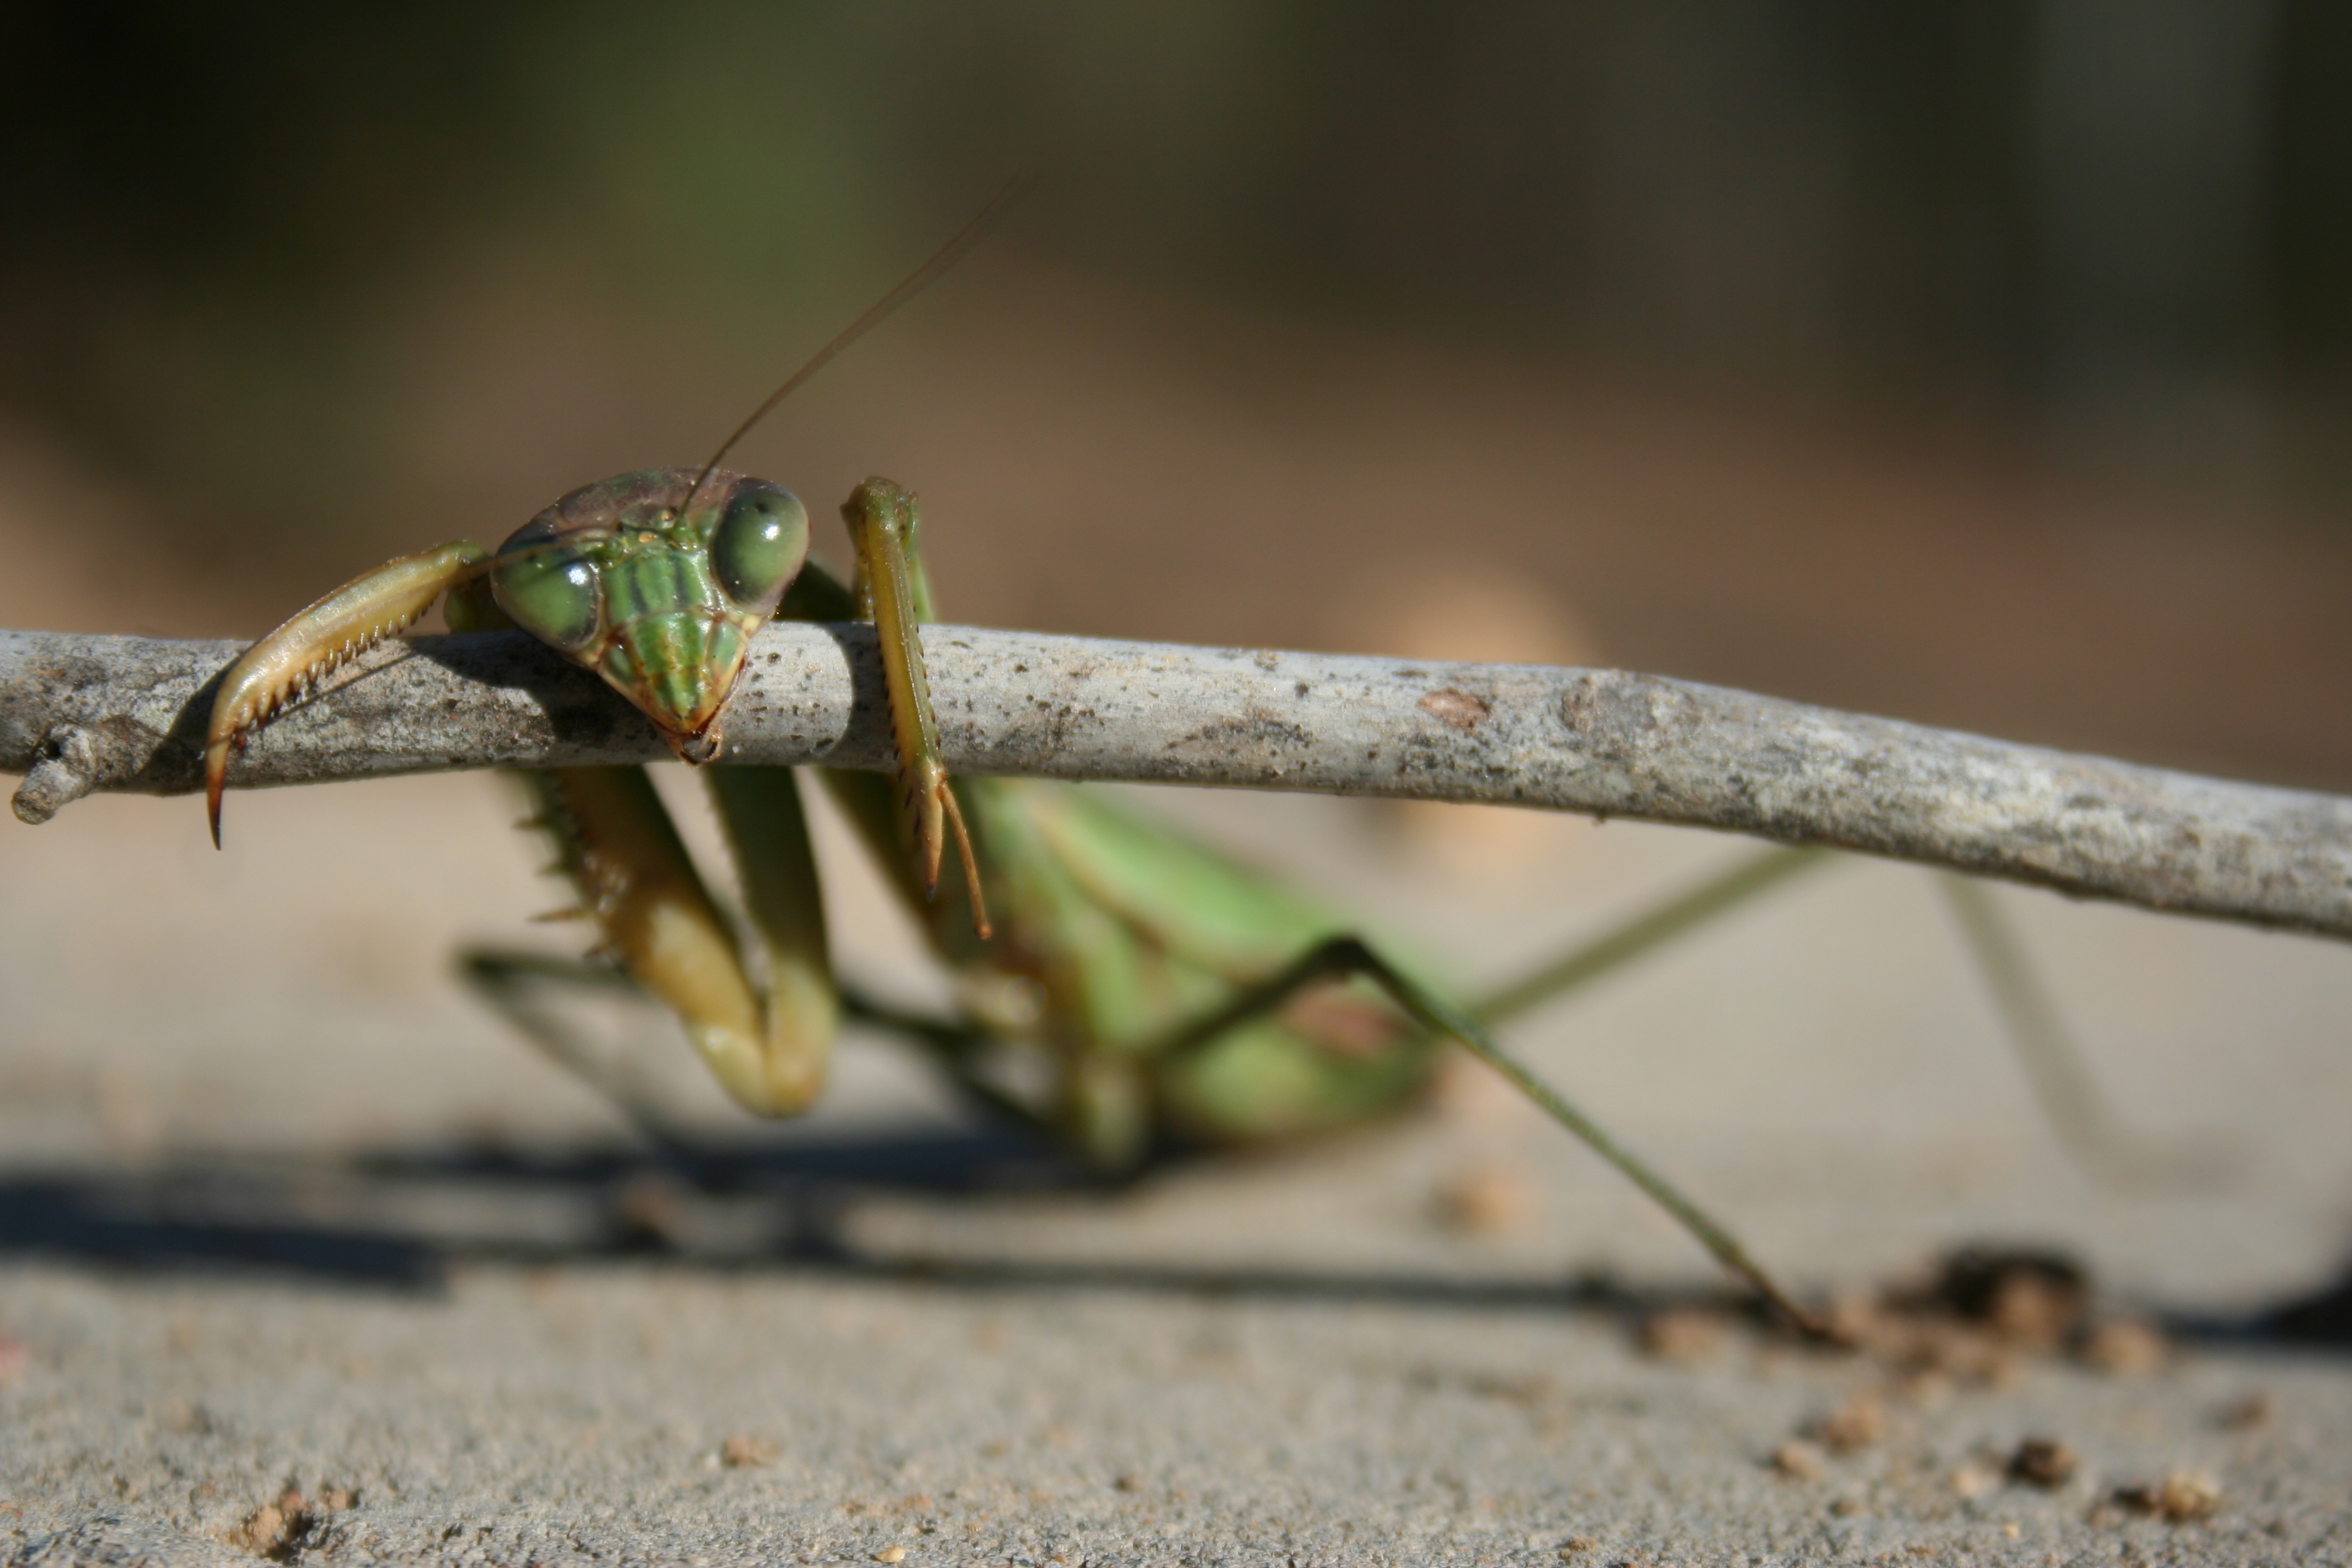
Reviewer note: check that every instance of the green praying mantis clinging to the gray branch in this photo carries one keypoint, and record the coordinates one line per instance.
(1158, 991)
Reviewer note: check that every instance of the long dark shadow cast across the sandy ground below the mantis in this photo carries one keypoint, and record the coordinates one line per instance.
(401, 1219)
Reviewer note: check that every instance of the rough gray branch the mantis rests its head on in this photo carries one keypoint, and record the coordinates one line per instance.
(128, 713)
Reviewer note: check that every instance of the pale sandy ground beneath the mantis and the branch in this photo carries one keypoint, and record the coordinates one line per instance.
(283, 1212)
